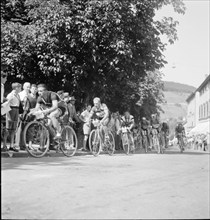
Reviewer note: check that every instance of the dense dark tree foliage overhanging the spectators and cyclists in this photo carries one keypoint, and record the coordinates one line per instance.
(104, 48)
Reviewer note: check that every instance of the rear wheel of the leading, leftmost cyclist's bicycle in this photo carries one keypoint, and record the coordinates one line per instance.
(69, 141)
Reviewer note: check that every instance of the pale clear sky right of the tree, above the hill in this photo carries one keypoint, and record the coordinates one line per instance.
(188, 58)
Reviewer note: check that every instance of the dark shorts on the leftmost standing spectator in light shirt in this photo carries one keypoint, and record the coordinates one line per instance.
(12, 118)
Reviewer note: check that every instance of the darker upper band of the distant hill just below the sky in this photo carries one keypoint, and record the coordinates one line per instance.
(178, 87)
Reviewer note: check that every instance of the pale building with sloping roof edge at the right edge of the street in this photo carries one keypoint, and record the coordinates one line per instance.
(198, 109)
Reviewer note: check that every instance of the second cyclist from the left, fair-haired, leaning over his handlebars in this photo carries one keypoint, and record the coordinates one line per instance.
(100, 111)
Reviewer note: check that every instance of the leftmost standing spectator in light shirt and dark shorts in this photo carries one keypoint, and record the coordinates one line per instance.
(13, 115)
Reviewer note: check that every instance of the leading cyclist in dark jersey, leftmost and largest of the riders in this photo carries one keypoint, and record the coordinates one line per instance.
(48, 100)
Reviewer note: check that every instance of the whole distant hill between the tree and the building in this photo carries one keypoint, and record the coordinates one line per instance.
(175, 95)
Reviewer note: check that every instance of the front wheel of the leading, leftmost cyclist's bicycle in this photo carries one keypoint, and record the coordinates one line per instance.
(36, 139)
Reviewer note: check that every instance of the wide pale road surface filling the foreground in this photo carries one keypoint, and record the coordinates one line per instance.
(172, 185)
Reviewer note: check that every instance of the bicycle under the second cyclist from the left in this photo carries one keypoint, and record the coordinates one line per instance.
(96, 142)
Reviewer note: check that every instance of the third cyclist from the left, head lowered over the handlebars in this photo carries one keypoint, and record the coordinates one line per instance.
(128, 121)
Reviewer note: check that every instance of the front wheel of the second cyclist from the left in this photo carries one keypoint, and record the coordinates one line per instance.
(94, 143)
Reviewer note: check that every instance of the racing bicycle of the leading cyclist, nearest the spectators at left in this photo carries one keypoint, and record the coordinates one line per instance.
(38, 136)
